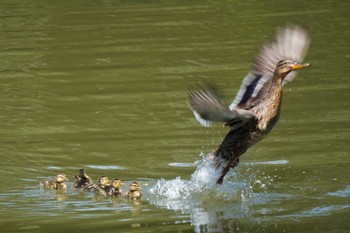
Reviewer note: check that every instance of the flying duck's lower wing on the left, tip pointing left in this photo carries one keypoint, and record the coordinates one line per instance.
(208, 108)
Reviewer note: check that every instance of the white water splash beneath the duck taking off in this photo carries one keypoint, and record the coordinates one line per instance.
(201, 187)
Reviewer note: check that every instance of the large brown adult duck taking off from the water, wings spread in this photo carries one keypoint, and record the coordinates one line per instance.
(256, 108)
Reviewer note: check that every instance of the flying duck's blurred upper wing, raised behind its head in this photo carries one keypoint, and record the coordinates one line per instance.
(291, 43)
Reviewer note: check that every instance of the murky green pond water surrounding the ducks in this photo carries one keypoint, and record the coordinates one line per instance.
(101, 85)
